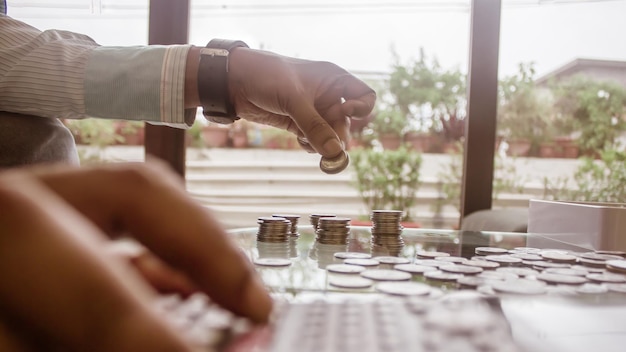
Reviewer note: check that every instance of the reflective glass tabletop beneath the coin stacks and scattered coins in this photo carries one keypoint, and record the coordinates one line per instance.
(563, 316)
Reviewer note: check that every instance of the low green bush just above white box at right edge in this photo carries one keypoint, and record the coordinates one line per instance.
(602, 180)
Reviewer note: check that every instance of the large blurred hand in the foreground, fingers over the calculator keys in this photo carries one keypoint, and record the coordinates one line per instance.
(60, 286)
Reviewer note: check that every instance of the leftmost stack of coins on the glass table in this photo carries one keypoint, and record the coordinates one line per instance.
(273, 237)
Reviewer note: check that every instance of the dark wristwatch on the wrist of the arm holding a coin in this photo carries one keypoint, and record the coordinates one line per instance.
(213, 81)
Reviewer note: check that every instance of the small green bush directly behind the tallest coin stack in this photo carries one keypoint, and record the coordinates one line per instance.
(387, 179)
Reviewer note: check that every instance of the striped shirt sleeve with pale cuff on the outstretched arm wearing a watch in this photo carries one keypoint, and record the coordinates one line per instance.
(67, 75)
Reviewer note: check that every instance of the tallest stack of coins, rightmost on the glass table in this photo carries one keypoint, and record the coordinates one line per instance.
(387, 231)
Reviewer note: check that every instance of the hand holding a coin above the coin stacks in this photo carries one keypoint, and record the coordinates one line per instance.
(312, 99)
